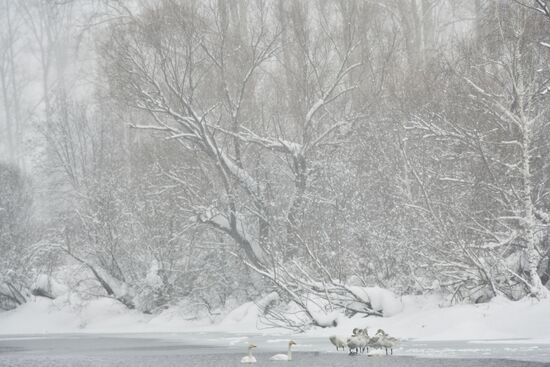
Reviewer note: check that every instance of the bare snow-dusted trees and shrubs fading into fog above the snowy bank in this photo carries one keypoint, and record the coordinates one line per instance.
(208, 153)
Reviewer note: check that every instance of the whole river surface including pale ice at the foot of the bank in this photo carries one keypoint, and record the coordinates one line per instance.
(218, 350)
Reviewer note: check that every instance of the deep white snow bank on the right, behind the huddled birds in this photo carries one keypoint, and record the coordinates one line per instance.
(423, 318)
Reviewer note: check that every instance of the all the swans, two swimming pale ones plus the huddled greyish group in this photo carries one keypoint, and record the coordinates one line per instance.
(357, 343)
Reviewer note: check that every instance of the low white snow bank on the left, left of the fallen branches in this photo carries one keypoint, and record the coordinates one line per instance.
(70, 314)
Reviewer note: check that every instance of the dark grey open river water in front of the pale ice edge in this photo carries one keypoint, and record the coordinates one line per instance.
(125, 351)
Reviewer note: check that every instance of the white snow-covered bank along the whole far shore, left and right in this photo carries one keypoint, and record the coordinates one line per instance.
(421, 319)
